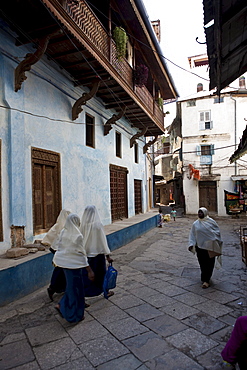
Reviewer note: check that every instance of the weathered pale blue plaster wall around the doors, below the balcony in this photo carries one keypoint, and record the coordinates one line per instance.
(40, 116)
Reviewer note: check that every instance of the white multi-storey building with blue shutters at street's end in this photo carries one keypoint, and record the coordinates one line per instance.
(211, 128)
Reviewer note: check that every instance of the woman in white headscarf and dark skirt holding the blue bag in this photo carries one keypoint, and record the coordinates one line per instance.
(97, 250)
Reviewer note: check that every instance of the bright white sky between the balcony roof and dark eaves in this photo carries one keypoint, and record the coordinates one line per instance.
(181, 23)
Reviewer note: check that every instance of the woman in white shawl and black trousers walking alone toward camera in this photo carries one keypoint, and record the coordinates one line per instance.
(205, 241)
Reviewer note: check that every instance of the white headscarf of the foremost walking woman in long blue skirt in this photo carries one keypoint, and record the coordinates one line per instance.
(71, 253)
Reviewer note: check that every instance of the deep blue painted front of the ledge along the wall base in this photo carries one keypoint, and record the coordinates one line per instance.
(23, 279)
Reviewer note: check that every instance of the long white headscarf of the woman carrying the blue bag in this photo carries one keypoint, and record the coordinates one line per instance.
(93, 233)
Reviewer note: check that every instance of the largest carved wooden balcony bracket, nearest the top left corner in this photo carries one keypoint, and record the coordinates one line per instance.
(30, 59)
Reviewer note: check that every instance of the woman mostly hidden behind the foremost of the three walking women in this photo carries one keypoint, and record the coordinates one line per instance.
(58, 281)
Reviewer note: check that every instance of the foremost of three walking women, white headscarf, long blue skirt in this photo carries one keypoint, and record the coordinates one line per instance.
(71, 256)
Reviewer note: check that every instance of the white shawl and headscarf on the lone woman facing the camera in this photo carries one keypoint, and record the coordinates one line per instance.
(205, 233)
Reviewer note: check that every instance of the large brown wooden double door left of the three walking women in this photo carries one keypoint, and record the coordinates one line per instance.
(46, 189)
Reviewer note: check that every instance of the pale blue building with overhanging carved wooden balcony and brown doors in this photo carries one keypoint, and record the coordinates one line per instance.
(76, 116)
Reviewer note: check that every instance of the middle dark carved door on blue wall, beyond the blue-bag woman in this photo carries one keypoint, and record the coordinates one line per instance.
(118, 189)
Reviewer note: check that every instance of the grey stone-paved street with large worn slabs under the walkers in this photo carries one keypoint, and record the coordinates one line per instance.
(159, 318)
